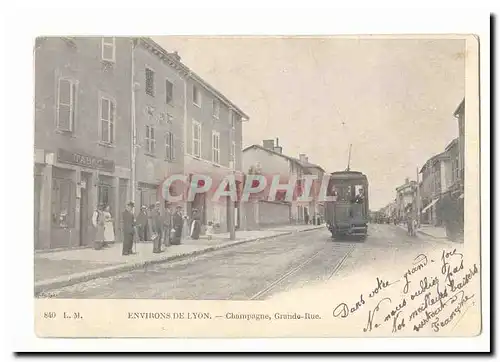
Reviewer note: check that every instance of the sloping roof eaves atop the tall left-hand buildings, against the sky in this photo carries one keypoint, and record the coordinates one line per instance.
(174, 60)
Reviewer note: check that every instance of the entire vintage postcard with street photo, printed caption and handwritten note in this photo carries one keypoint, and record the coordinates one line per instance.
(270, 186)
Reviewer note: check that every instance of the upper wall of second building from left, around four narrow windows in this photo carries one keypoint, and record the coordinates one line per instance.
(154, 111)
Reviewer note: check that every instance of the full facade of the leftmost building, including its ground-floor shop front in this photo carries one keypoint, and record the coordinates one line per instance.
(69, 163)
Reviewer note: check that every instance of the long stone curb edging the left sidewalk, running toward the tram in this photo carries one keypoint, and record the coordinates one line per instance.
(72, 279)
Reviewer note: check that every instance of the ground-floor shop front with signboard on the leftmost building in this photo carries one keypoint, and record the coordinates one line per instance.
(68, 188)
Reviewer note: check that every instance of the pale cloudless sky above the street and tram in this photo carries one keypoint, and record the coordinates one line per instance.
(392, 99)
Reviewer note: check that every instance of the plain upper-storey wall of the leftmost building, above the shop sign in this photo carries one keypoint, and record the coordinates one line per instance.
(81, 62)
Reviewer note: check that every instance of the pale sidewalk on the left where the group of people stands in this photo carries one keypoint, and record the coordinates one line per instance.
(62, 268)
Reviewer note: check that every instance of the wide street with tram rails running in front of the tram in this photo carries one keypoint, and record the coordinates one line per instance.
(260, 269)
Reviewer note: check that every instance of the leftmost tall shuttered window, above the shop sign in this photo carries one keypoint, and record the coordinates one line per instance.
(66, 104)
